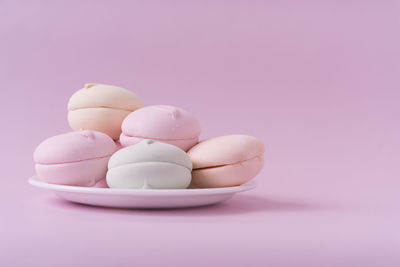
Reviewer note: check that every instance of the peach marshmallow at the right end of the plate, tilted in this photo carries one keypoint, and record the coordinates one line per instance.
(226, 161)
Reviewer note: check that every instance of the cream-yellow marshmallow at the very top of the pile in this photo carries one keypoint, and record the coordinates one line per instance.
(101, 108)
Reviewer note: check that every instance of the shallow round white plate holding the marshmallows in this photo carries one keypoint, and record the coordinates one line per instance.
(142, 199)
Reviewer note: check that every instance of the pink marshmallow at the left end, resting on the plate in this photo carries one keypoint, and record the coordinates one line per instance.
(76, 158)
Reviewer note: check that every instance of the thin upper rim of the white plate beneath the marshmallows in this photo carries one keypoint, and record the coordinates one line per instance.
(33, 180)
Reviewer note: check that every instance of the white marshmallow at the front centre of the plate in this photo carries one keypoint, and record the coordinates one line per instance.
(149, 165)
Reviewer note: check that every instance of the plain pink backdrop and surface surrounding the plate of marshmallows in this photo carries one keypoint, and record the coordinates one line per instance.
(317, 81)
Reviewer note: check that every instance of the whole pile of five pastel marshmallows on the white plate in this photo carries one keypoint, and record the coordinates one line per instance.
(132, 146)
